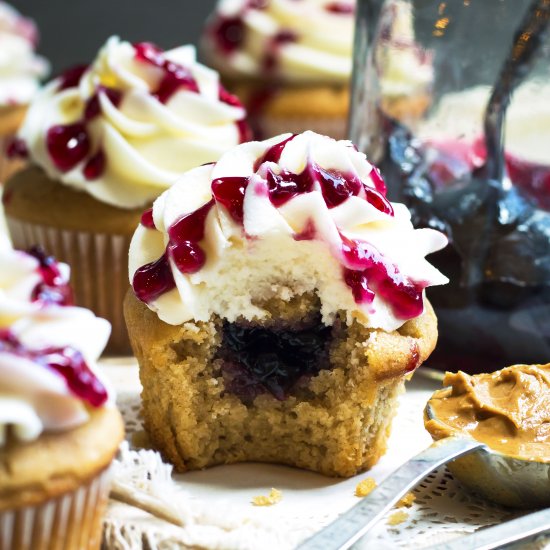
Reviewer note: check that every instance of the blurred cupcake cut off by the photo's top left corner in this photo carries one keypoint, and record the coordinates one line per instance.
(20, 72)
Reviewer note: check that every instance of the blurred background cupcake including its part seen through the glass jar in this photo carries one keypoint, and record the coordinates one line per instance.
(290, 62)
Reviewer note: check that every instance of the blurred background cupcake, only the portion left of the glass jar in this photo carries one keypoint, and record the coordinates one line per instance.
(289, 62)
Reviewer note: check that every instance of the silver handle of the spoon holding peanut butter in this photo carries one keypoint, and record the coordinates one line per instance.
(353, 524)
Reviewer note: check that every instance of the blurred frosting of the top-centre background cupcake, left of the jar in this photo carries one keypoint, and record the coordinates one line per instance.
(306, 40)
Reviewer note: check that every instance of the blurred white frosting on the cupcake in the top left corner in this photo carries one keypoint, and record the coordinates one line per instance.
(20, 68)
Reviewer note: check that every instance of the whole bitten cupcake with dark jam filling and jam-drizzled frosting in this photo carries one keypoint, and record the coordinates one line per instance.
(278, 307)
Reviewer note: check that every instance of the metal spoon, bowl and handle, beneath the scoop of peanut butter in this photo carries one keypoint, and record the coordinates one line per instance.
(498, 477)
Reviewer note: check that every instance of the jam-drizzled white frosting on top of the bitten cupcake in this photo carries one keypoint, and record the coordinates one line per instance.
(282, 217)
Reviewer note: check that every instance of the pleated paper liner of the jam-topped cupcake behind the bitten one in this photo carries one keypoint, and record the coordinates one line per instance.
(99, 270)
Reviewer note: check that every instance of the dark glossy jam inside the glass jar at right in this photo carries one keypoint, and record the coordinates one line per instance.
(496, 309)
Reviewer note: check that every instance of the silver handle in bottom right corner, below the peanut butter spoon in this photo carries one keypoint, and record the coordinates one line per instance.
(494, 537)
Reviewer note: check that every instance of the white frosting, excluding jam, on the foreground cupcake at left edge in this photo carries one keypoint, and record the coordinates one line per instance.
(33, 397)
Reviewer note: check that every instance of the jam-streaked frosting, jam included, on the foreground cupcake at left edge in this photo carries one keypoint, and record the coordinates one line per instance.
(47, 349)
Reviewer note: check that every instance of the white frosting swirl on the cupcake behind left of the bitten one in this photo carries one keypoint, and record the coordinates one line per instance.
(147, 144)
